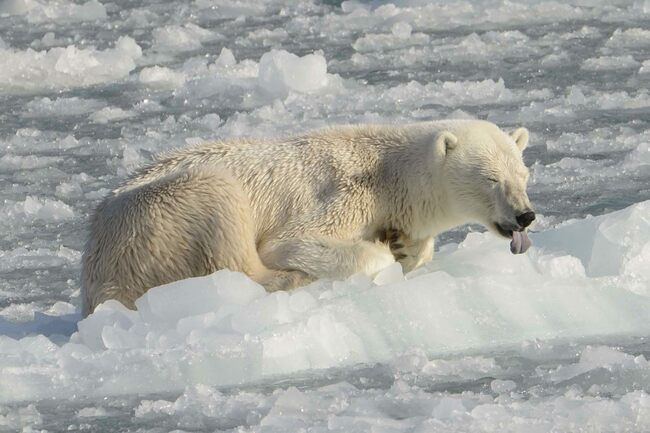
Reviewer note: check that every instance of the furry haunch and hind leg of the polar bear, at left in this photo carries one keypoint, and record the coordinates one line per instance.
(186, 224)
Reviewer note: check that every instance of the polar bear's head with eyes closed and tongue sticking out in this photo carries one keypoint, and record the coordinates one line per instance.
(485, 177)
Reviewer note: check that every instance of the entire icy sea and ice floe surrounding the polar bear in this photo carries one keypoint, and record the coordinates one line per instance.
(479, 340)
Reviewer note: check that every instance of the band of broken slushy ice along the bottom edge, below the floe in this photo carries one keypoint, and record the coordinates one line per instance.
(342, 406)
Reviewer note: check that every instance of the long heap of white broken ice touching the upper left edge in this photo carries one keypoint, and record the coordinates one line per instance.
(64, 68)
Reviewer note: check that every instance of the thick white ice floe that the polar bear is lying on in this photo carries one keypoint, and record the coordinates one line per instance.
(587, 278)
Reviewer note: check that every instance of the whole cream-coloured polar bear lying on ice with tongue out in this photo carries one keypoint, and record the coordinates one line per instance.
(325, 204)
